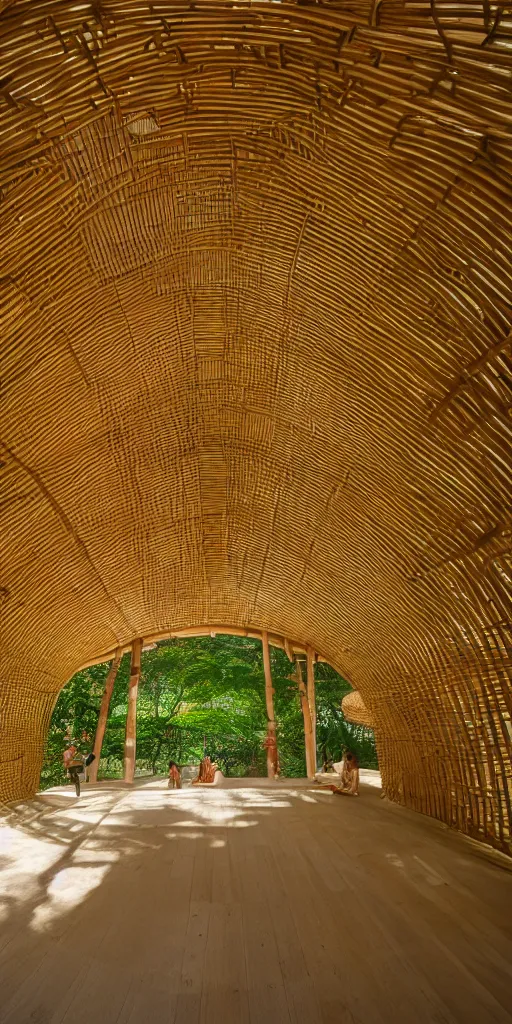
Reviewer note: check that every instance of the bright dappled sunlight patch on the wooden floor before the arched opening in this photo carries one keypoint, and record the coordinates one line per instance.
(57, 850)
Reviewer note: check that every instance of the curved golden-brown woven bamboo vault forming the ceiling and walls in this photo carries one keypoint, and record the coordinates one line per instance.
(257, 359)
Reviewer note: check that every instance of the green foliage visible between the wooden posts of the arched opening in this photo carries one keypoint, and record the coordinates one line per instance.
(199, 695)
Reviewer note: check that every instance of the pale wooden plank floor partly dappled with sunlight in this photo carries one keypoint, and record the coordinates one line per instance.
(259, 905)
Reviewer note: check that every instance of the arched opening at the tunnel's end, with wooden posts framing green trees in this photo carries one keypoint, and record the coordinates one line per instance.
(205, 693)
